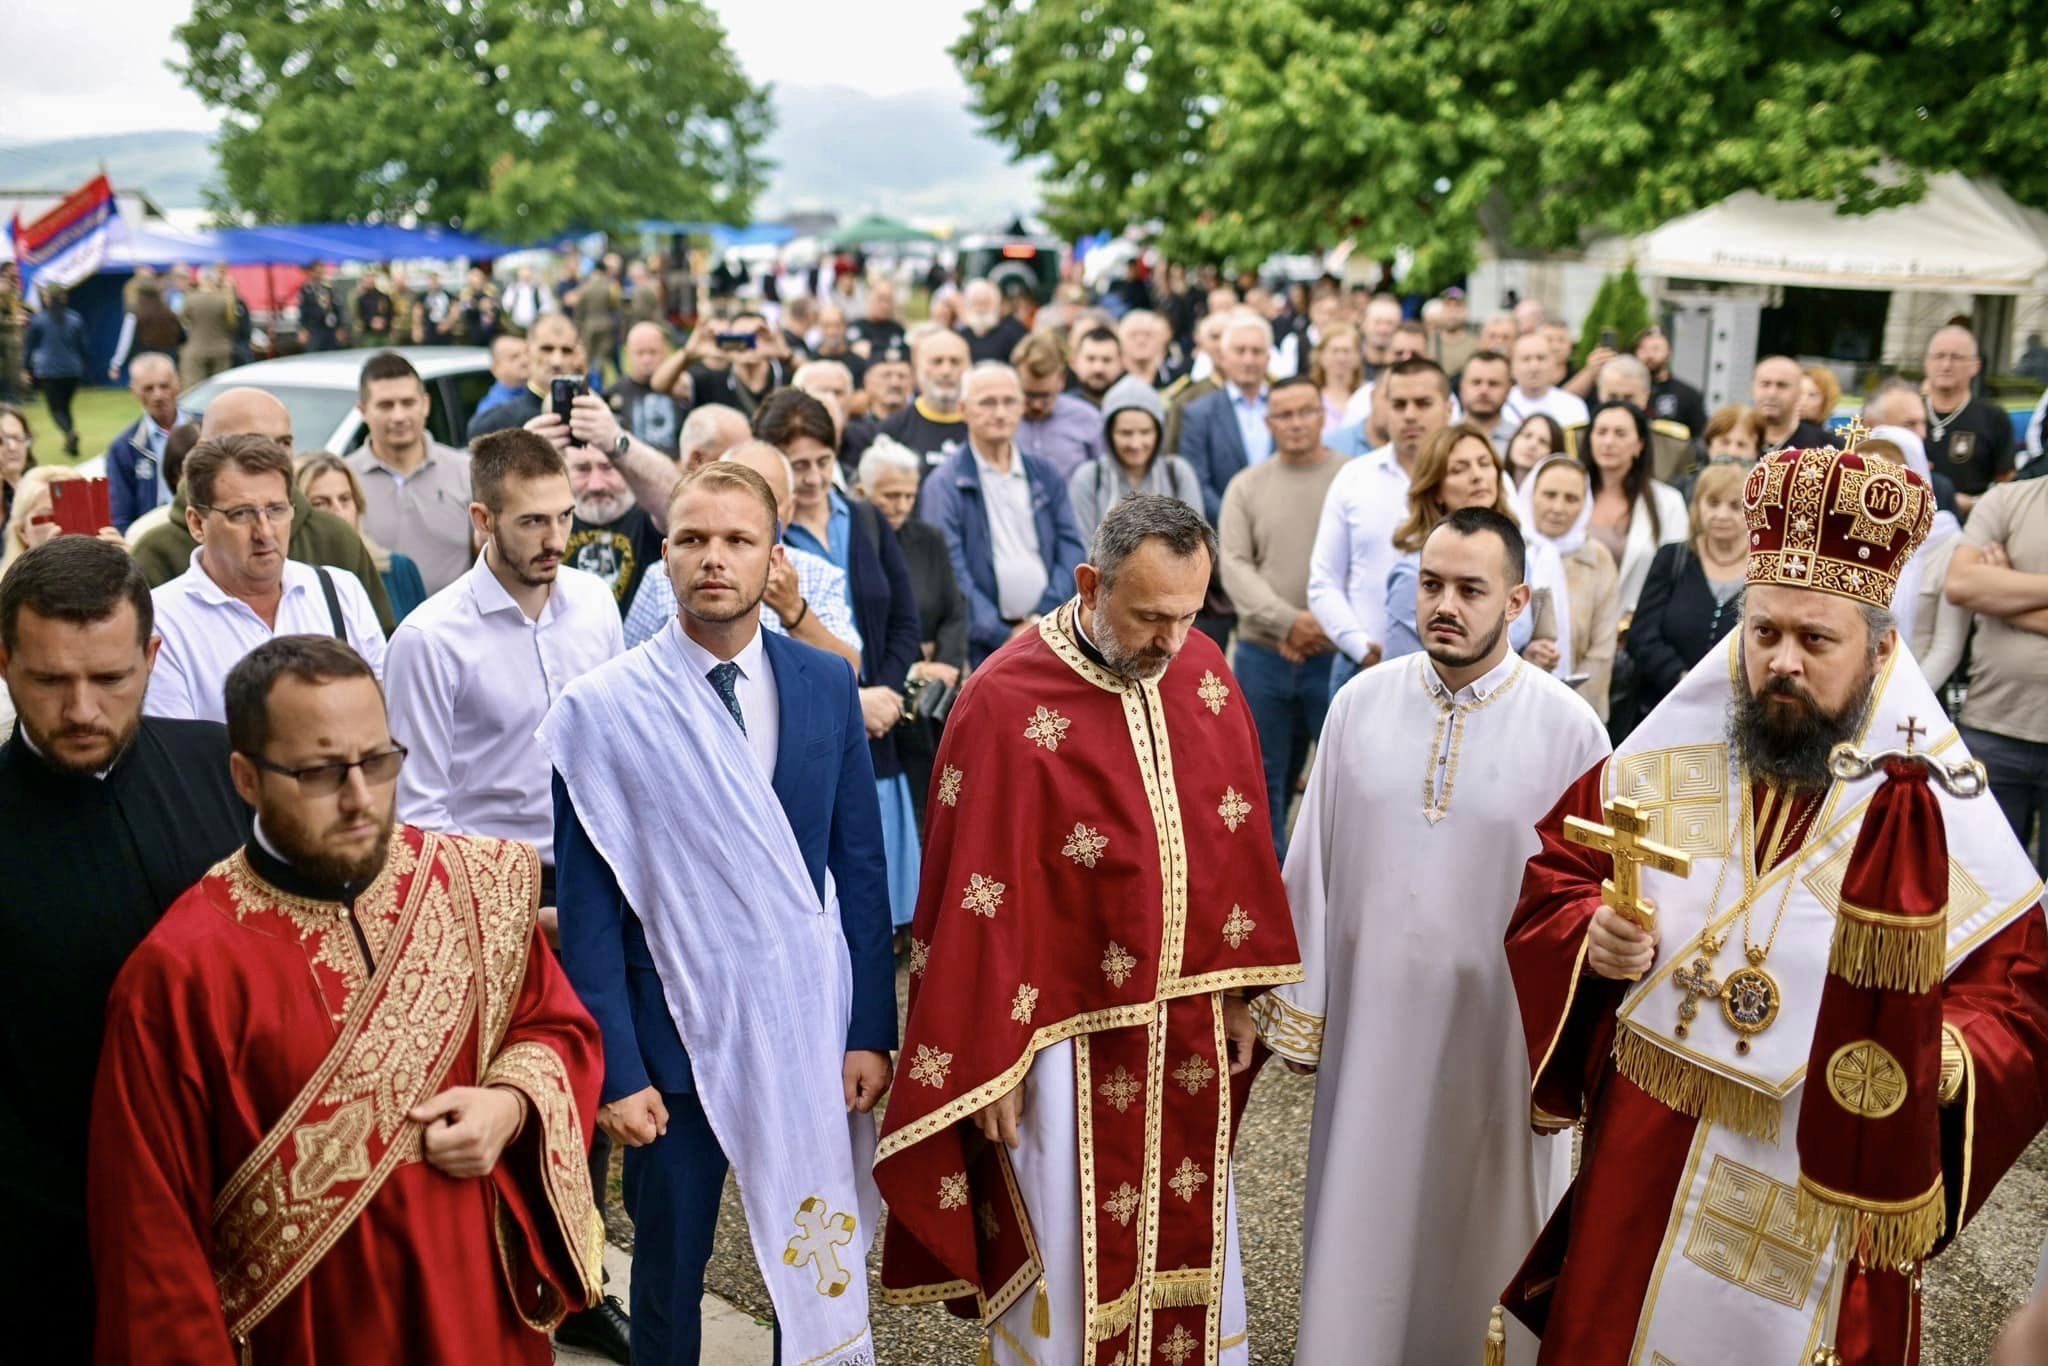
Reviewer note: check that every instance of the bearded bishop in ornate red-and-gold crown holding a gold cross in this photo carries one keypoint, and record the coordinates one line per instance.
(1687, 1050)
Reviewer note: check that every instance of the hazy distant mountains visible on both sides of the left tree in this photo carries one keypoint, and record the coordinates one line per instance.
(835, 148)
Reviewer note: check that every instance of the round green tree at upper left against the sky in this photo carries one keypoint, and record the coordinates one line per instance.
(515, 118)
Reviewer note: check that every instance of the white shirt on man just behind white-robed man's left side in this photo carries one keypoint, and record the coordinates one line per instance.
(1355, 550)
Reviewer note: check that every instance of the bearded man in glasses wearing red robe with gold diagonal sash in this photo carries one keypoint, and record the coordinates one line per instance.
(345, 1101)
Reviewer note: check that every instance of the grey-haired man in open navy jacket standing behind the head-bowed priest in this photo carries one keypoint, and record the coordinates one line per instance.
(1007, 517)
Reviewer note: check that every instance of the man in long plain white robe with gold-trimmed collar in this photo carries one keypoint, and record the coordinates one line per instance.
(1424, 1177)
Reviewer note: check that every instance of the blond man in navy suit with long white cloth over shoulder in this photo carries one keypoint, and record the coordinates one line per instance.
(726, 919)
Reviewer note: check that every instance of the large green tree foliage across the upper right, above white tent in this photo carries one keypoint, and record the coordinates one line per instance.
(1248, 128)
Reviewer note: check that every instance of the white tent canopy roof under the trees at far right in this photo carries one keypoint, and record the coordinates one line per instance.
(1965, 237)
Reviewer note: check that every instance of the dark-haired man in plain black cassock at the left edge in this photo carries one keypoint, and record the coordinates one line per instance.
(105, 820)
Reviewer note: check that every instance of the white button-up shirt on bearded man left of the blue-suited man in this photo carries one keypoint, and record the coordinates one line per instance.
(470, 681)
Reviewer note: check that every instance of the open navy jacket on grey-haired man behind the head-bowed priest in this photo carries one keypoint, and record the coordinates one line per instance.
(951, 501)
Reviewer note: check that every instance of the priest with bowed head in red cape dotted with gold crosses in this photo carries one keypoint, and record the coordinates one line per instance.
(1099, 900)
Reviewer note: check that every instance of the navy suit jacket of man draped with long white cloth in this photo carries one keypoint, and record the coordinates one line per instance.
(826, 787)
